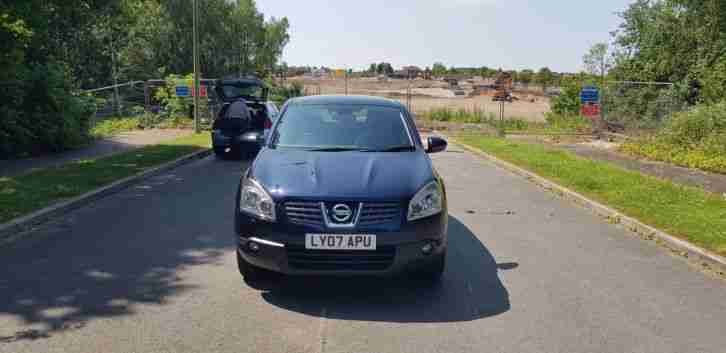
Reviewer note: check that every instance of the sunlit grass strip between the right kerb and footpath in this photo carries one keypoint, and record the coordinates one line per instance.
(688, 213)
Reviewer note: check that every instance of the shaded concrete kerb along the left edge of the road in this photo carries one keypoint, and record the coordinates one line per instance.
(11, 230)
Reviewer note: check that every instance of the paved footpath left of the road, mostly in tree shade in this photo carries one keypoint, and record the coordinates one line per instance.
(119, 143)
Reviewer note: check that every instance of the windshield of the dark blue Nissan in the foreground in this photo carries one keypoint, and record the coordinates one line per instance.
(354, 127)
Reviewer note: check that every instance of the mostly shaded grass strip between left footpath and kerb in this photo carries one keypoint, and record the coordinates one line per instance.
(30, 192)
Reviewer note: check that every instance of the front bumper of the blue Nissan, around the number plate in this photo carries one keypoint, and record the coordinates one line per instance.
(281, 247)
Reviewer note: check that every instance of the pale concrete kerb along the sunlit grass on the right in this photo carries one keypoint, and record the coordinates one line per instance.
(705, 258)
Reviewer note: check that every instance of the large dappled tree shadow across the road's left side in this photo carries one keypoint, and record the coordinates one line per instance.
(103, 259)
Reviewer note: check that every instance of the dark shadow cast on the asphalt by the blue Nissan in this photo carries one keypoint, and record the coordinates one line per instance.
(470, 290)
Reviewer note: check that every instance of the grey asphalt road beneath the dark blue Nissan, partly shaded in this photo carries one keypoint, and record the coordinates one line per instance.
(152, 269)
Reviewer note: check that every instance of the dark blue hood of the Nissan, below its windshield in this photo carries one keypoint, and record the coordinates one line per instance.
(341, 175)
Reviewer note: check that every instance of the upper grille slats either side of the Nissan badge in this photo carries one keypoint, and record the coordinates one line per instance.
(310, 213)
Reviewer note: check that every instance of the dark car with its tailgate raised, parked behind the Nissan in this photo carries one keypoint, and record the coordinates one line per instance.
(244, 115)
